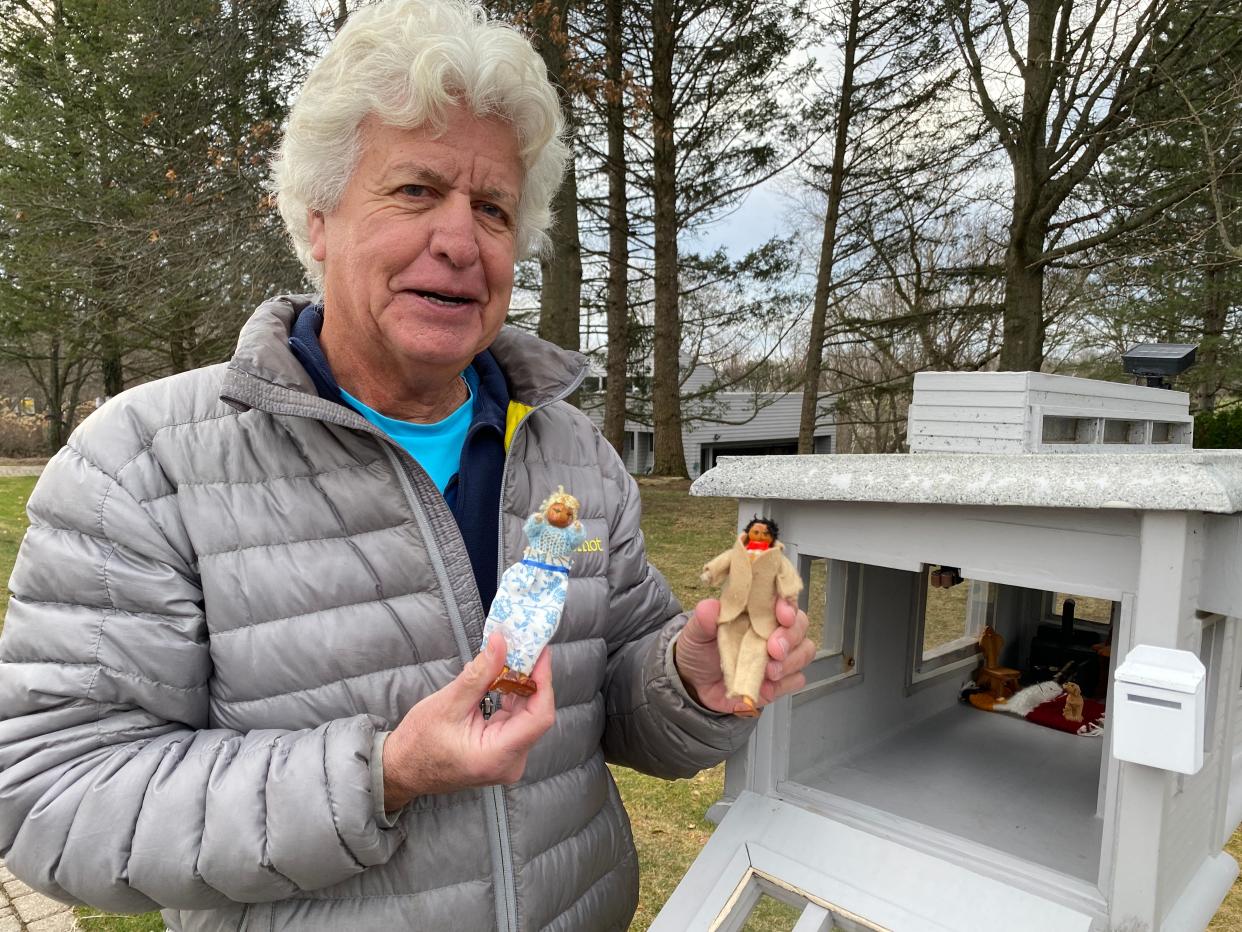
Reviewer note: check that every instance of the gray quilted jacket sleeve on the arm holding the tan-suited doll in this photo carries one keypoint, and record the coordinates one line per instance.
(653, 724)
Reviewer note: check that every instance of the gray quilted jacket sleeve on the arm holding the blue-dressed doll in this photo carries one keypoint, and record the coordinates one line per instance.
(114, 790)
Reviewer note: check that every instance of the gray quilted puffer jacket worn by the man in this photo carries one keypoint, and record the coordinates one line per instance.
(230, 587)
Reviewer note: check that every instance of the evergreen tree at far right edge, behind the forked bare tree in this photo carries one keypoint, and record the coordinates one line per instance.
(1178, 279)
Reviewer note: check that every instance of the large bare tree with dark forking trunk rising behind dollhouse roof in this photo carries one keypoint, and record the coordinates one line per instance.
(1059, 83)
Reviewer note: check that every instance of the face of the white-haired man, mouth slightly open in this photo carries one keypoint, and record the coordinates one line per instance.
(419, 253)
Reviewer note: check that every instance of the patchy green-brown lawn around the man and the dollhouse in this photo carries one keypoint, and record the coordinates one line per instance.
(668, 817)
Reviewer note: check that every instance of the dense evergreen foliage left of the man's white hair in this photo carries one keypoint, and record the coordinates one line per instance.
(136, 137)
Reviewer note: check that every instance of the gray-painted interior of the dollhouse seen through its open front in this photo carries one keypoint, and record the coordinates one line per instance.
(997, 779)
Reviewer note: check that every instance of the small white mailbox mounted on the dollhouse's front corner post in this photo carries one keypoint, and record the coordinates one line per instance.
(1158, 710)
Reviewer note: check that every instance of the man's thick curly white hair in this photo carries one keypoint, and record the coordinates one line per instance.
(407, 63)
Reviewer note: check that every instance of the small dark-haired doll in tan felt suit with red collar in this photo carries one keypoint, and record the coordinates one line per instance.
(755, 572)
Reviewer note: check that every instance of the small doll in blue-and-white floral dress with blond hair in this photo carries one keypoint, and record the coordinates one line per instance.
(532, 592)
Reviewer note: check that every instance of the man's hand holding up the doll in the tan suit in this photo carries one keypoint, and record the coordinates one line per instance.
(699, 659)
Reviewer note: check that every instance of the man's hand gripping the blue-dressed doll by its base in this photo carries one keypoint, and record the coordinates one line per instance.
(444, 744)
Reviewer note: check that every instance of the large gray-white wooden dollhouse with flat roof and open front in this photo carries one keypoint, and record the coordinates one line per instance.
(876, 798)
